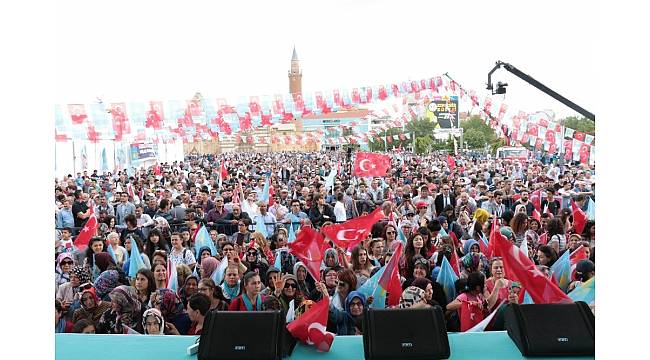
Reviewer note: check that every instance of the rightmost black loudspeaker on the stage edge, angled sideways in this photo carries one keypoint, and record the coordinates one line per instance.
(551, 329)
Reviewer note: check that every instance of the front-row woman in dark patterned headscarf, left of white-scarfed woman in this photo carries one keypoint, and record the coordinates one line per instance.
(125, 311)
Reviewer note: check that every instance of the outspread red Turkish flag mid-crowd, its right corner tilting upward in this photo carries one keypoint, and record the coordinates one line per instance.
(358, 228)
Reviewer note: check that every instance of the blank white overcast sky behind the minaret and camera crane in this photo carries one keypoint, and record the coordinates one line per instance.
(142, 50)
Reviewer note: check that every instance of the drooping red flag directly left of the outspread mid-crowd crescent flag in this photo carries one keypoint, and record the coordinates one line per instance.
(309, 247)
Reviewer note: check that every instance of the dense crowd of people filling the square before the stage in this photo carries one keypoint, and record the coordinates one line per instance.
(437, 209)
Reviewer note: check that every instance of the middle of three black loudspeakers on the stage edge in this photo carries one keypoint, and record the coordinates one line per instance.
(405, 334)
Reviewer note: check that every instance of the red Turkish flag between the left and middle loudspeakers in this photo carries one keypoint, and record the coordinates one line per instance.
(310, 327)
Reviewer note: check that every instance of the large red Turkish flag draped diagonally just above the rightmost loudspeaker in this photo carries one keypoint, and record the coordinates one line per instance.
(521, 268)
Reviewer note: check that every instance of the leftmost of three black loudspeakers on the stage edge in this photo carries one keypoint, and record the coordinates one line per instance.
(242, 335)
